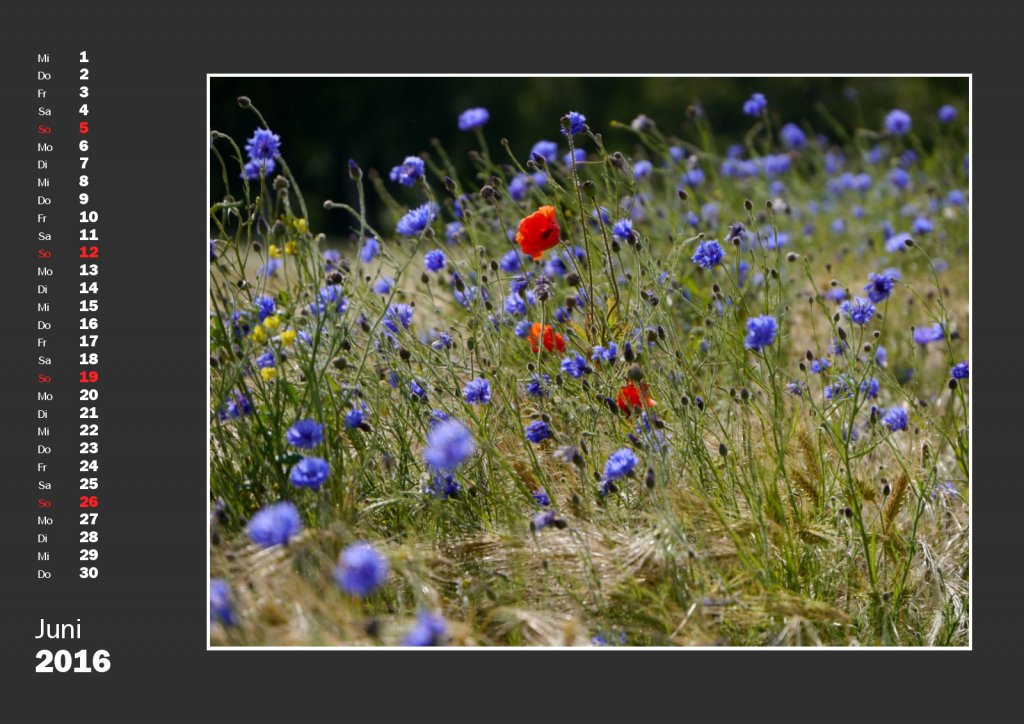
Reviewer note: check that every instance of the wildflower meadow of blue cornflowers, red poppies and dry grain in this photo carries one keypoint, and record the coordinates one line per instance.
(627, 387)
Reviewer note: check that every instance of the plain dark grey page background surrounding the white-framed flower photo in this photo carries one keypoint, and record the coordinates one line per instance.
(149, 132)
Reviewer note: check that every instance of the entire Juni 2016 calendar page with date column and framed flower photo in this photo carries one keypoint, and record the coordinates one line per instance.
(527, 354)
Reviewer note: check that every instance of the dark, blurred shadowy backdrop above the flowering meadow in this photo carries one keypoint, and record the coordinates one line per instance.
(324, 122)
